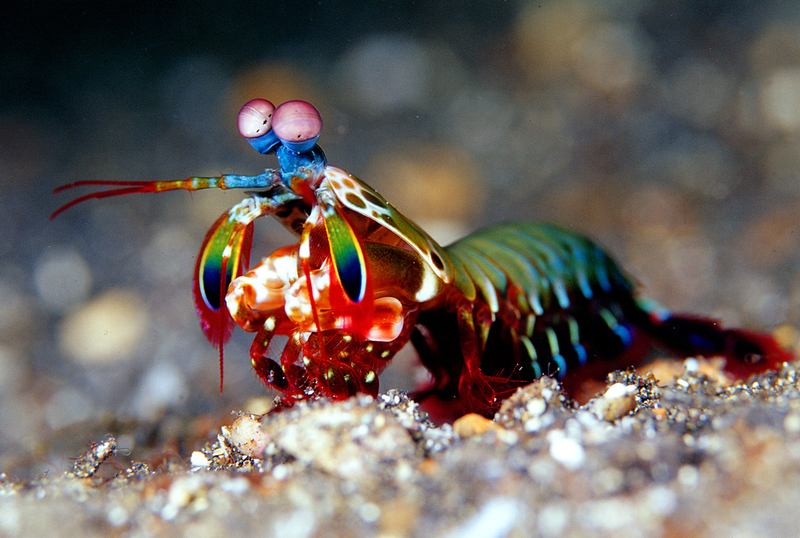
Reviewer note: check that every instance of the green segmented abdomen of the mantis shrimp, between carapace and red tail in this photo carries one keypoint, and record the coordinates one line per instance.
(538, 299)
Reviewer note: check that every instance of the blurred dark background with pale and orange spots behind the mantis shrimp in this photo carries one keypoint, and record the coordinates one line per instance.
(666, 130)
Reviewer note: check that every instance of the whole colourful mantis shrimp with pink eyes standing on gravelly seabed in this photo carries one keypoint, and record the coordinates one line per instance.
(487, 314)
